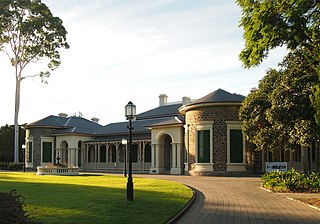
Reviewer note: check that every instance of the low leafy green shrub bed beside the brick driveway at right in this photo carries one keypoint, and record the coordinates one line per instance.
(292, 180)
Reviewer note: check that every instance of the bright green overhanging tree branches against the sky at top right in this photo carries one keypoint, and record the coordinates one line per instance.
(270, 24)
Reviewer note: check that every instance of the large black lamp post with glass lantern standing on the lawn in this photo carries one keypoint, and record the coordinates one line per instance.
(130, 113)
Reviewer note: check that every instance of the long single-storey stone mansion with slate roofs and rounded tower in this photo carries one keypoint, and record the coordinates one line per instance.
(192, 137)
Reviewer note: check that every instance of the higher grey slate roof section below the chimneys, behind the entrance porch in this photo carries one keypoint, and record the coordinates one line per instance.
(161, 111)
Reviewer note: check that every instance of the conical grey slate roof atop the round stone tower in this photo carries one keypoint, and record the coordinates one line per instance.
(219, 96)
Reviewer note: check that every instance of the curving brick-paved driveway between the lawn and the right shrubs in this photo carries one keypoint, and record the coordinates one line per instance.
(240, 200)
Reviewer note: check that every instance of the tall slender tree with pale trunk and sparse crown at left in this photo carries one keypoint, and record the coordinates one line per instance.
(29, 33)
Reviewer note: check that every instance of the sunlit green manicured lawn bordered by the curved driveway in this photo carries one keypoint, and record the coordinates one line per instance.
(96, 199)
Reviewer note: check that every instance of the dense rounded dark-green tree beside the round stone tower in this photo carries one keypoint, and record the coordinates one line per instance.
(279, 113)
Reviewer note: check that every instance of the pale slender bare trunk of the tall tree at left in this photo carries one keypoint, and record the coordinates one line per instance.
(16, 123)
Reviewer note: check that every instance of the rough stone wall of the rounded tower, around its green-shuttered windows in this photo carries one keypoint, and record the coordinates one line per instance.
(217, 115)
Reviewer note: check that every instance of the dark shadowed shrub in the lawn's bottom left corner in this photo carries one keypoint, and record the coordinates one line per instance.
(11, 204)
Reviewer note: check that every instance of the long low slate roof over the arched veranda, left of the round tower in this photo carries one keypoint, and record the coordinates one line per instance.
(138, 125)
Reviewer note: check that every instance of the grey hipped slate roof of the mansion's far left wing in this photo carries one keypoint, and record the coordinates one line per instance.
(67, 124)
